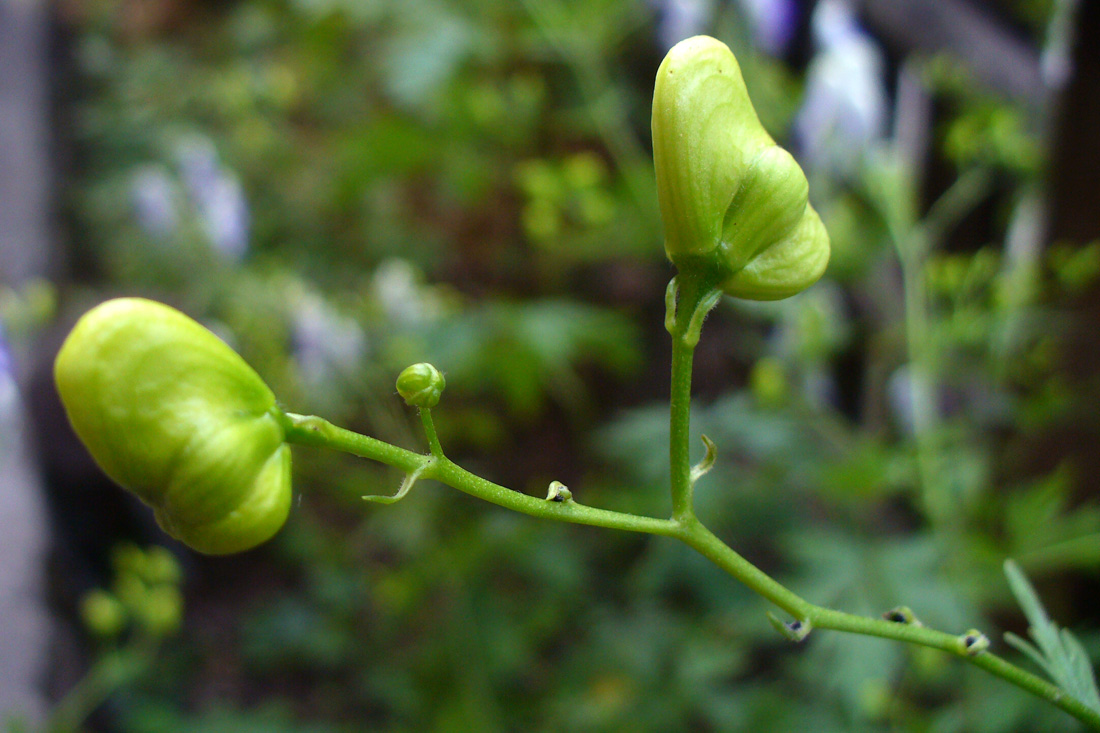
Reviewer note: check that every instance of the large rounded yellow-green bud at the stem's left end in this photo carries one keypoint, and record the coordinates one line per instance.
(178, 418)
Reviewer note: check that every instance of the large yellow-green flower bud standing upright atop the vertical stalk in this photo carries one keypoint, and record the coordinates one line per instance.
(731, 199)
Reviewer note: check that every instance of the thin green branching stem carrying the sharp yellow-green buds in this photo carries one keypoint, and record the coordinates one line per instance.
(688, 305)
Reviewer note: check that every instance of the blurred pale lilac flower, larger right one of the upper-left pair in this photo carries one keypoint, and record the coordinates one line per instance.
(217, 196)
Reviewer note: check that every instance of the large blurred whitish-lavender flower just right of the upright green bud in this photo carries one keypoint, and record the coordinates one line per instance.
(844, 112)
